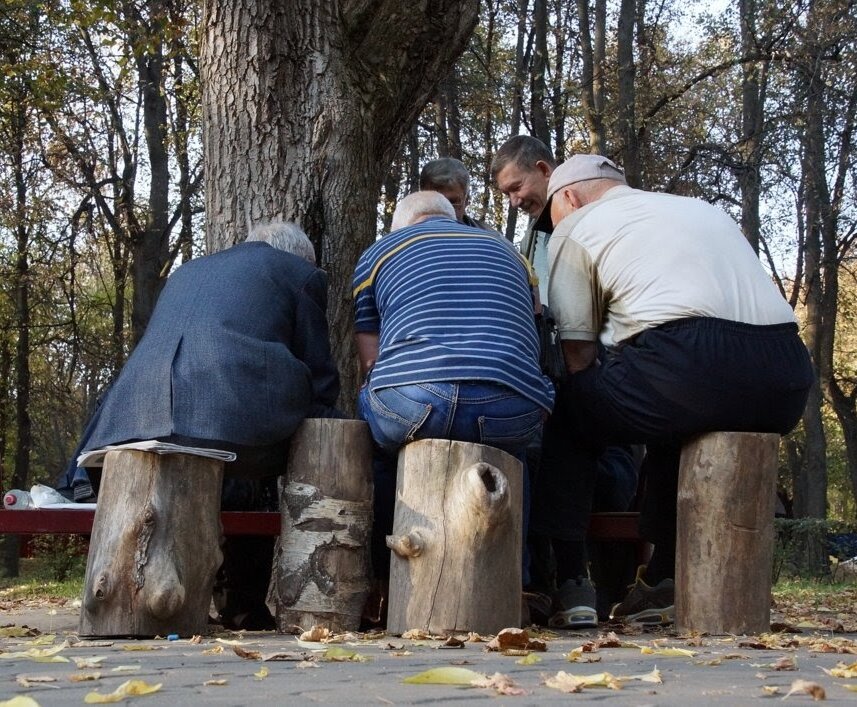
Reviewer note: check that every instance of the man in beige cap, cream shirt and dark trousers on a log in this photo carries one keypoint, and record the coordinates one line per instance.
(699, 338)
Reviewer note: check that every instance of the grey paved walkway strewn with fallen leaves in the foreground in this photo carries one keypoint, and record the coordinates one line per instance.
(720, 671)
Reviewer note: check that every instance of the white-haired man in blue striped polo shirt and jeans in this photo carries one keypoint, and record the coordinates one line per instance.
(446, 340)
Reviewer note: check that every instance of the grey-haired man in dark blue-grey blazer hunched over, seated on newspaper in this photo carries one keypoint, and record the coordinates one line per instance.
(235, 356)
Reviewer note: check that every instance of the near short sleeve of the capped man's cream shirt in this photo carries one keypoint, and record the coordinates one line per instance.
(573, 290)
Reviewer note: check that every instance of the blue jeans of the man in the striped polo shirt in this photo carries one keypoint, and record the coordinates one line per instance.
(485, 413)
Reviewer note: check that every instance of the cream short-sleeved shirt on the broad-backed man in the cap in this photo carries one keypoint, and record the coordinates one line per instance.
(633, 260)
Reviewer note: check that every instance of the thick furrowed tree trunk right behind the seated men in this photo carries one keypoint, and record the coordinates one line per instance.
(305, 104)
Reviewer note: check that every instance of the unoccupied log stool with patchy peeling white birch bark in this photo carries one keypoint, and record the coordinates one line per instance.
(321, 563)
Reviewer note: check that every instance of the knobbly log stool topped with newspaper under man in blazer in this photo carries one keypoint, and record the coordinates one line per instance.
(155, 546)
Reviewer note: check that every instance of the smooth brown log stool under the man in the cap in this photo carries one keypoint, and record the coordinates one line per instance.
(725, 533)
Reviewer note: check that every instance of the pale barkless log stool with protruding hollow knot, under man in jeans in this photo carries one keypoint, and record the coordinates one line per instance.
(456, 542)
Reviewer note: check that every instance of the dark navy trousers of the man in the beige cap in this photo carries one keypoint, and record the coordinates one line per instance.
(677, 380)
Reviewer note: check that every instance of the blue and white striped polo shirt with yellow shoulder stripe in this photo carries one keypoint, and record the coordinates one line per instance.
(450, 303)
